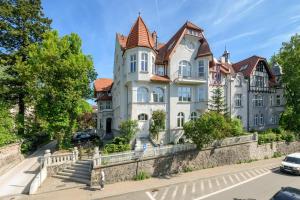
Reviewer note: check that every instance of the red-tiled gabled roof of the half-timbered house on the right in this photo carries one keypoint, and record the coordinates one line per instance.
(246, 66)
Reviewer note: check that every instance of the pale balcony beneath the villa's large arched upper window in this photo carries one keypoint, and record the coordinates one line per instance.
(190, 78)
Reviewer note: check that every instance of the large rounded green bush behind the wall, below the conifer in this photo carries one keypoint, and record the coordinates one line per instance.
(209, 127)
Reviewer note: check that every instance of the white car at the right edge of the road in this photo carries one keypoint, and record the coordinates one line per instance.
(291, 164)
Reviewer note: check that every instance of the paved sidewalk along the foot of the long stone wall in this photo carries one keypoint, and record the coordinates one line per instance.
(59, 189)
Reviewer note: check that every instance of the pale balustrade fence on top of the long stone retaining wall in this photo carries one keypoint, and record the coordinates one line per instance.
(165, 150)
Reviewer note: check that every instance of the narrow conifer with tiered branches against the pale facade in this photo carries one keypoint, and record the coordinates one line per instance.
(217, 103)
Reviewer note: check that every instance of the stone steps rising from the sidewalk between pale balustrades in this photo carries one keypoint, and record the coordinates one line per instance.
(77, 172)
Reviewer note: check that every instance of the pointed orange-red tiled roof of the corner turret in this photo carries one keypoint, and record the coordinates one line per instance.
(139, 35)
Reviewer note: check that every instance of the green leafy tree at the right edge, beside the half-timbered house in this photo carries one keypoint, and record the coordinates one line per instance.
(289, 59)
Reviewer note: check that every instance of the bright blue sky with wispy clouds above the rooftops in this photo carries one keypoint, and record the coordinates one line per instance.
(246, 27)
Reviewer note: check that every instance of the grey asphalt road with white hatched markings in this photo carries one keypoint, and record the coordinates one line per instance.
(257, 183)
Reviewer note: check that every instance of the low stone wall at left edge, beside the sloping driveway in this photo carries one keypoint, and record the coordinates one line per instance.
(10, 155)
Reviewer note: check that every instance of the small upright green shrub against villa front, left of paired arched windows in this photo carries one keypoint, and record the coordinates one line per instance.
(158, 122)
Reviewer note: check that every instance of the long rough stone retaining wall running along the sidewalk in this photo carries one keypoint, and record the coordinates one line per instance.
(195, 159)
